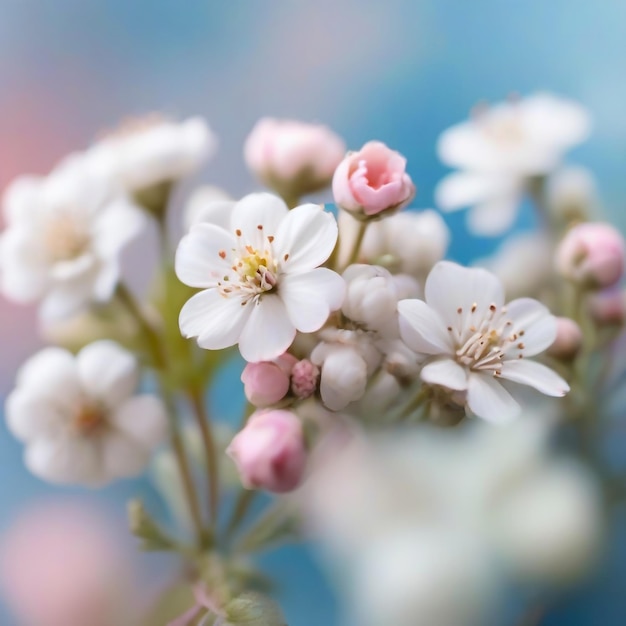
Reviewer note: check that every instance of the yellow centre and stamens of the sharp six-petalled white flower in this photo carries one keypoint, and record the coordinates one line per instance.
(254, 268)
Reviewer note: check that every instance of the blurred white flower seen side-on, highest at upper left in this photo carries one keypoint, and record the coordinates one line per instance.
(144, 154)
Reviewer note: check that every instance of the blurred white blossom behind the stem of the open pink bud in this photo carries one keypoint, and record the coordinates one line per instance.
(409, 242)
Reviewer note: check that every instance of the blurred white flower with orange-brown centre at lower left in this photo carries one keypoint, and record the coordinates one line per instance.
(78, 417)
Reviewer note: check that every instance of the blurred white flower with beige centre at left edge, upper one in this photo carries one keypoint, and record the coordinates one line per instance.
(63, 239)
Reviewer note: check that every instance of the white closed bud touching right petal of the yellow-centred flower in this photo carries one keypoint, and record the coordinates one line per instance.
(371, 299)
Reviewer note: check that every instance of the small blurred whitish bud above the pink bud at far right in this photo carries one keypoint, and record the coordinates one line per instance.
(571, 193)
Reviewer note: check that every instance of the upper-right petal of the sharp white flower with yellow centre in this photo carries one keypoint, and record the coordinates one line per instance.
(308, 236)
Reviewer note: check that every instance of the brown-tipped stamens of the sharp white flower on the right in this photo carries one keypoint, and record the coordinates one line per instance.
(485, 340)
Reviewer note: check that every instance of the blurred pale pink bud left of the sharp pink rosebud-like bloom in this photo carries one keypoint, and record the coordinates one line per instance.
(293, 158)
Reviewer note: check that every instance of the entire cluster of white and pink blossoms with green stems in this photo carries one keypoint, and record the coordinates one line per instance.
(348, 317)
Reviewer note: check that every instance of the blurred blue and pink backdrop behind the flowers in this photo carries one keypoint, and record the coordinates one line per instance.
(400, 71)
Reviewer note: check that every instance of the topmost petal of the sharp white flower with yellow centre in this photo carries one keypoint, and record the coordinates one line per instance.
(258, 209)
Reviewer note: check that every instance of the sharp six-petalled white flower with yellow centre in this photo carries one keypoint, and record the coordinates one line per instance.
(260, 277)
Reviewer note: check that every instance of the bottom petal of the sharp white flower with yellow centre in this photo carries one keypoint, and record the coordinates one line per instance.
(268, 331)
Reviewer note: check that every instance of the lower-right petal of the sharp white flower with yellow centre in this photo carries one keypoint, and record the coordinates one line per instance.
(309, 297)
